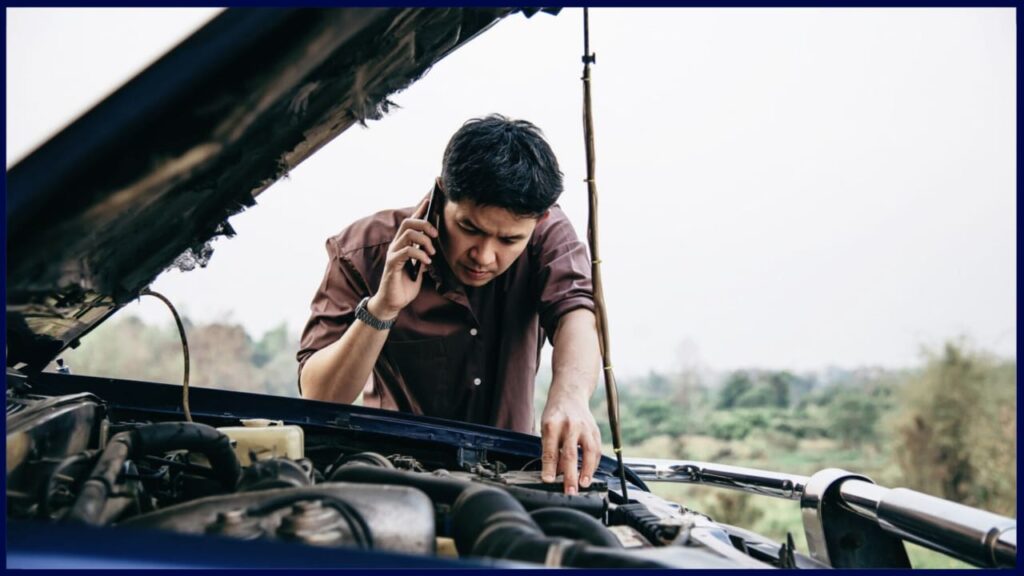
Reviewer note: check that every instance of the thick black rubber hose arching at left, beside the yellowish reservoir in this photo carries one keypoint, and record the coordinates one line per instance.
(162, 437)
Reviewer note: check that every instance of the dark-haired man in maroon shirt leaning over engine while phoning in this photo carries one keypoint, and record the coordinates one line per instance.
(460, 339)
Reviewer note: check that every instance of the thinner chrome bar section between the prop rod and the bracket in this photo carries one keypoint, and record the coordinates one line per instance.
(754, 481)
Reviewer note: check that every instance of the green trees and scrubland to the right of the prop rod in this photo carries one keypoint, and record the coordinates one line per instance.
(948, 428)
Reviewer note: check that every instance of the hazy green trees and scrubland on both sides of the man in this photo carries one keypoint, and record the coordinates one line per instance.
(947, 428)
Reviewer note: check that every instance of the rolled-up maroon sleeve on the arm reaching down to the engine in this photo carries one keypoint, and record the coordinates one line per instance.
(565, 271)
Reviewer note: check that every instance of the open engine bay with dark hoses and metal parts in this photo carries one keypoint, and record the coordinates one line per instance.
(81, 461)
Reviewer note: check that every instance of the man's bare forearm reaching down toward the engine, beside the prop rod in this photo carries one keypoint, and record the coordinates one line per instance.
(577, 358)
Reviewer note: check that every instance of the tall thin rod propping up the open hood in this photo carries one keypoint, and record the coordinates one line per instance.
(612, 392)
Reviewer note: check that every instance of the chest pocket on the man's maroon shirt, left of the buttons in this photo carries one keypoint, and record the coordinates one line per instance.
(423, 366)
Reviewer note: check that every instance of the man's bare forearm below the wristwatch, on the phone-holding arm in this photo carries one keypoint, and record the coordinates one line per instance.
(338, 373)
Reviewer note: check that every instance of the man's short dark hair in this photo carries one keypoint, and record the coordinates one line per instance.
(497, 161)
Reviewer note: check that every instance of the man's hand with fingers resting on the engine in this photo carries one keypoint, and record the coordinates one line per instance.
(566, 424)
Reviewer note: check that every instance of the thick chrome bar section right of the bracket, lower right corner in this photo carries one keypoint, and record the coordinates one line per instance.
(970, 534)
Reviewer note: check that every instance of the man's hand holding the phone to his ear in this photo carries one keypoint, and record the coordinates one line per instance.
(414, 241)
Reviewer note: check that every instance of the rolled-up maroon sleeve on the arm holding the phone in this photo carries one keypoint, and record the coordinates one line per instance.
(333, 307)
